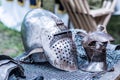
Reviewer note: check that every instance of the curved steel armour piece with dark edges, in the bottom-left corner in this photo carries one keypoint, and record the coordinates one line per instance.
(9, 67)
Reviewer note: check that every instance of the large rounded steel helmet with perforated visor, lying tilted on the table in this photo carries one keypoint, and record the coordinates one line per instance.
(43, 29)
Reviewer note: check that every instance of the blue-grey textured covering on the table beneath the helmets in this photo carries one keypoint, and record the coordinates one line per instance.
(50, 73)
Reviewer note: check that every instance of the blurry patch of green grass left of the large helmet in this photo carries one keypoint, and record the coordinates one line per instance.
(10, 41)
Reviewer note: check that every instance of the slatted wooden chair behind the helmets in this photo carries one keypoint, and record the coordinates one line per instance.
(84, 18)
